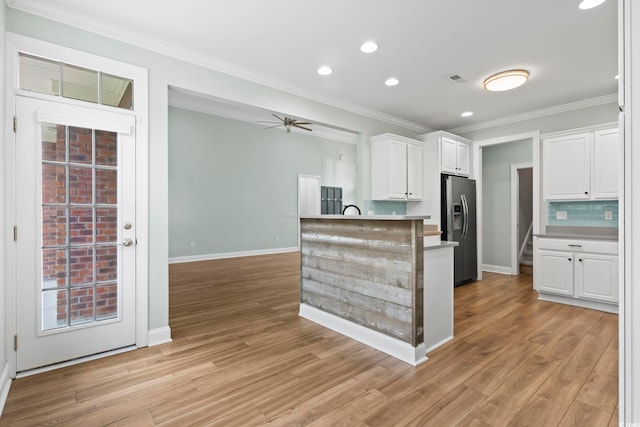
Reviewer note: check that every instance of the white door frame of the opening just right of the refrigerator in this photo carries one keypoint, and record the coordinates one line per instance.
(477, 174)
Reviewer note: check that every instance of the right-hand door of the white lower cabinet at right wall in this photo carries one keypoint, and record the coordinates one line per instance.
(596, 277)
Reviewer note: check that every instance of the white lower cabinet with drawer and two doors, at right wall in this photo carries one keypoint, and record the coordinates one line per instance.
(578, 272)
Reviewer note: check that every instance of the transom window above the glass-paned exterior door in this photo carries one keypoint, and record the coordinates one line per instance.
(60, 79)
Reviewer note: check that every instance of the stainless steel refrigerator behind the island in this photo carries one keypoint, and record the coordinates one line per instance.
(459, 224)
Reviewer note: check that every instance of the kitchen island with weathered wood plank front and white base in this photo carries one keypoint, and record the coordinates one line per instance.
(363, 276)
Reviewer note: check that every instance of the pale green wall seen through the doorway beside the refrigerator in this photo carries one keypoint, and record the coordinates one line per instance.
(496, 198)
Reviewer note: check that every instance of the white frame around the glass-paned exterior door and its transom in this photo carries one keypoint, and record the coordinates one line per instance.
(17, 43)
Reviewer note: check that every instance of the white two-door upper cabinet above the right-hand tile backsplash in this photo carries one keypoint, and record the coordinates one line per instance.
(581, 166)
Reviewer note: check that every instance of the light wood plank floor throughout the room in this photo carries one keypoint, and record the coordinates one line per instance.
(241, 356)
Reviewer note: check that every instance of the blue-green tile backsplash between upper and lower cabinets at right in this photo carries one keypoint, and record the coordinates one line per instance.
(584, 214)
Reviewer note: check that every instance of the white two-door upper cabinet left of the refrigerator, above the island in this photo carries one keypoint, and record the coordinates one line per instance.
(396, 168)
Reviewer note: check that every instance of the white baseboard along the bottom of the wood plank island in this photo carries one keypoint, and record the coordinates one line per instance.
(392, 346)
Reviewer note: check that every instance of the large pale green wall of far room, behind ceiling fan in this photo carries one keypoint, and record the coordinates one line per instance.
(233, 184)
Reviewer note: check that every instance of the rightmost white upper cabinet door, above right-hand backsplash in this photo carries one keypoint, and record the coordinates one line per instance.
(606, 162)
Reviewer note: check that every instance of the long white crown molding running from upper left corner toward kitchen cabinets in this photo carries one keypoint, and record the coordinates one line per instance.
(128, 36)
